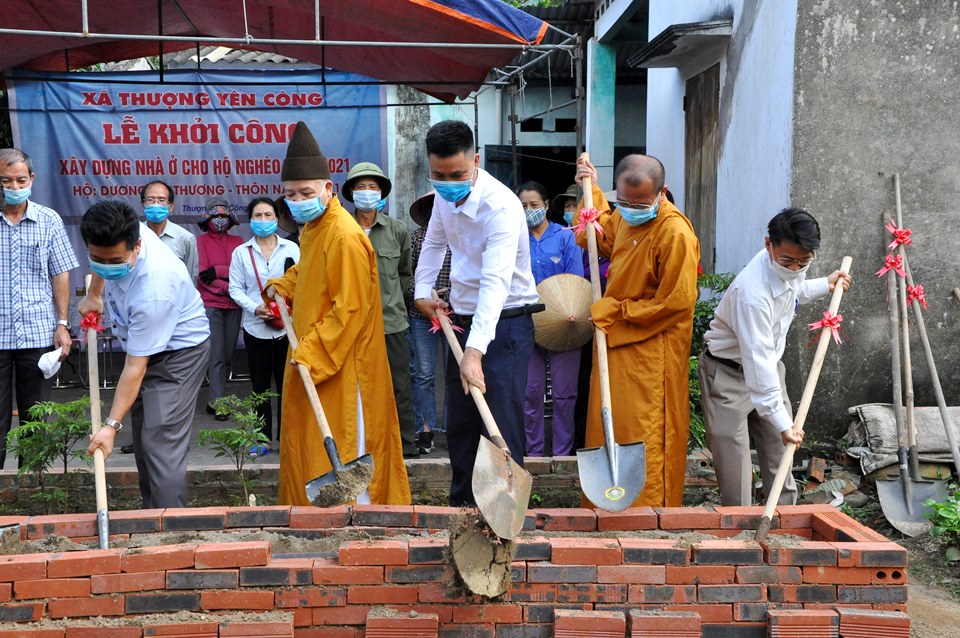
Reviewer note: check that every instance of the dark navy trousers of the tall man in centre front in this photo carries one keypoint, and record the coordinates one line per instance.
(505, 375)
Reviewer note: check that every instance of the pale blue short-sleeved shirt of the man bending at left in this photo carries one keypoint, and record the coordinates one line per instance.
(156, 307)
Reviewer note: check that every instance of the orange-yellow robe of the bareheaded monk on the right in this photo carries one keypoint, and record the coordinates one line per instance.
(647, 315)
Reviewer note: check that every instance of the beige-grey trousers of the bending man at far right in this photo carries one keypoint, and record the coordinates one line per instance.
(732, 423)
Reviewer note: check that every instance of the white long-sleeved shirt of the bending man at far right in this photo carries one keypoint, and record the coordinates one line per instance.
(750, 327)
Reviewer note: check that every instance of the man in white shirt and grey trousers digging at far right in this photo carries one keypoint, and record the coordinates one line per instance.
(741, 375)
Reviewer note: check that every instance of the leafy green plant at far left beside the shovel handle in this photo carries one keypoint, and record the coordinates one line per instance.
(55, 432)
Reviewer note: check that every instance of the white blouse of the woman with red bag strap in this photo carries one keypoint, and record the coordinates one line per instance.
(243, 281)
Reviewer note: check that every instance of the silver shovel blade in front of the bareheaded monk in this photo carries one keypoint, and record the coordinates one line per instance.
(610, 493)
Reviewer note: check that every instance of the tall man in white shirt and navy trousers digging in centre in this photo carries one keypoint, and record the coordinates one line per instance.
(492, 294)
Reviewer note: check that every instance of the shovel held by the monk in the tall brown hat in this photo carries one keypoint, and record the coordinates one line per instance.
(346, 481)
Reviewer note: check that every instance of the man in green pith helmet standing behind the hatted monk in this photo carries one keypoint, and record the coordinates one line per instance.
(367, 188)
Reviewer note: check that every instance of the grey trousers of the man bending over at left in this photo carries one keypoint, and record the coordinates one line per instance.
(162, 419)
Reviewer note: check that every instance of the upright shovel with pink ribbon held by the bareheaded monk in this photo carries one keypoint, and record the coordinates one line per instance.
(612, 476)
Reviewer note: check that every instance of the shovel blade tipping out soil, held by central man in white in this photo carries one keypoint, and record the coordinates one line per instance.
(501, 489)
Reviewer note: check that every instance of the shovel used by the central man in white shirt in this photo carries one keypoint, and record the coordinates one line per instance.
(501, 488)
